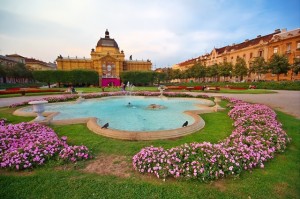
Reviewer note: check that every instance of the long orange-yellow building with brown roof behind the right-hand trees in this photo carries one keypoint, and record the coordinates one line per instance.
(280, 41)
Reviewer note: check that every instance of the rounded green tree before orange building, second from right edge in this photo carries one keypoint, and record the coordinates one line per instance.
(278, 64)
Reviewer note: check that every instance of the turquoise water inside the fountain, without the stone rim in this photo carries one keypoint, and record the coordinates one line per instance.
(130, 113)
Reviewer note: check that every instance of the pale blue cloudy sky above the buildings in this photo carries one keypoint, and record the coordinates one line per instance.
(165, 31)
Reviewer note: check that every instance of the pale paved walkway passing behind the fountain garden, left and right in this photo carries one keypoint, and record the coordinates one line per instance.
(285, 101)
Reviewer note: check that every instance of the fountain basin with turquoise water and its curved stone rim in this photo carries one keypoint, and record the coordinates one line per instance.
(148, 124)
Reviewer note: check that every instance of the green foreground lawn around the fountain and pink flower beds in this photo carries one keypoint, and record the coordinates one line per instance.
(279, 178)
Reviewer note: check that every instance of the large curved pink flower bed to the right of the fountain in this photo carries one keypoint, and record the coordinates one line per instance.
(256, 138)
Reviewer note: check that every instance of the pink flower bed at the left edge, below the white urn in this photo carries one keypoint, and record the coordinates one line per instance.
(27, 145)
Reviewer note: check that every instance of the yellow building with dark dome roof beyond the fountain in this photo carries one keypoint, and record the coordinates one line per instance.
(107, 60)
